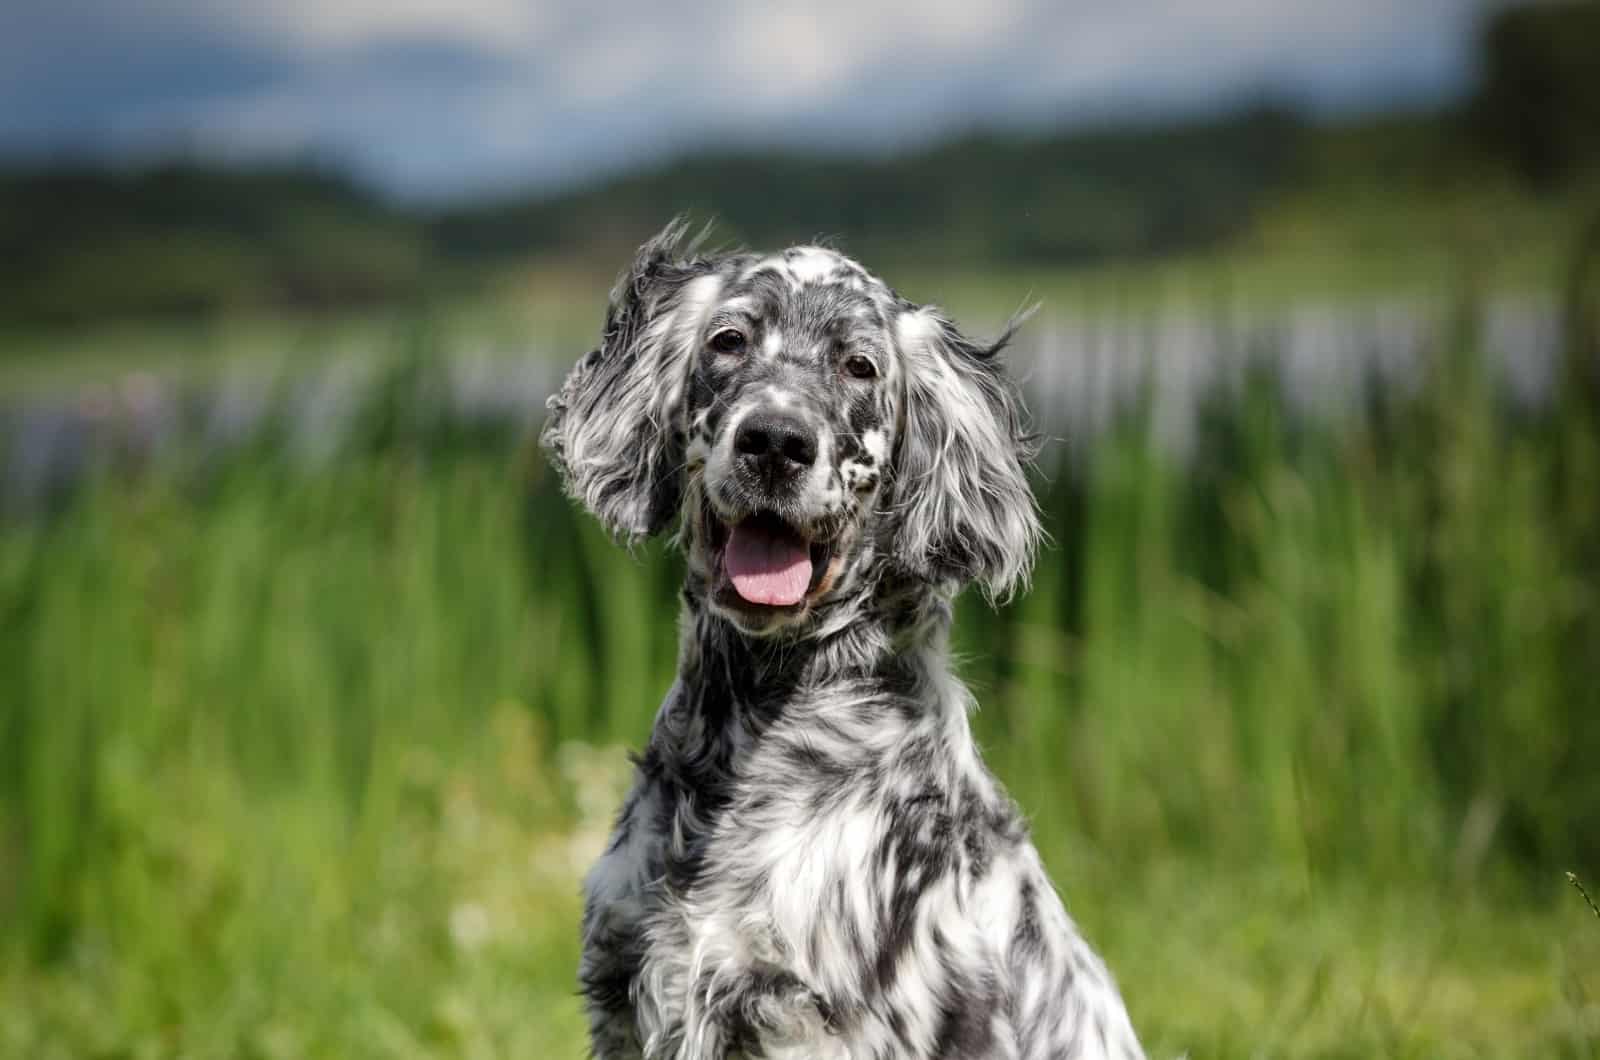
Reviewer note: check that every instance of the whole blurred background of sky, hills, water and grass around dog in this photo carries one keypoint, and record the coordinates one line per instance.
(314, 691)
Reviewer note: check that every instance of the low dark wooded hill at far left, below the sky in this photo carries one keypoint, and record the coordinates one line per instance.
(180, 239)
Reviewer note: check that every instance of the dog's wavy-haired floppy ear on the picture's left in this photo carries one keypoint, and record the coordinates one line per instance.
(617, 428)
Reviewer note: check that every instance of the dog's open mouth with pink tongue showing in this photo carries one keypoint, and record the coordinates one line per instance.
(764, 563)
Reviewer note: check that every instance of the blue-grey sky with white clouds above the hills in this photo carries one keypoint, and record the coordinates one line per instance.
(454, 97)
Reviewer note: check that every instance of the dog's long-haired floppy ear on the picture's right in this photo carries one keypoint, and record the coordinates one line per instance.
(966, 512)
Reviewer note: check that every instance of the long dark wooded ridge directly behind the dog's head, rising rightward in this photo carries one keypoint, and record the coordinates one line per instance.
(983, 198)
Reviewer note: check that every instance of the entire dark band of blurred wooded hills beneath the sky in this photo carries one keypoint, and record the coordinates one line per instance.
(188, 239)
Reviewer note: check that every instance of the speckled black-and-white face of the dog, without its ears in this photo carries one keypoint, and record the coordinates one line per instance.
(791, 411)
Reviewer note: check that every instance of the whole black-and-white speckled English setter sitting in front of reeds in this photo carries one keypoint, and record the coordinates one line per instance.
(814, 861)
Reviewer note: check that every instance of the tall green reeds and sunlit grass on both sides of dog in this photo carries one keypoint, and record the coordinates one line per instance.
(308, 763)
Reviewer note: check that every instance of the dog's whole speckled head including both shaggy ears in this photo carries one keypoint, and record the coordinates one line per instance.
(815, 433)
